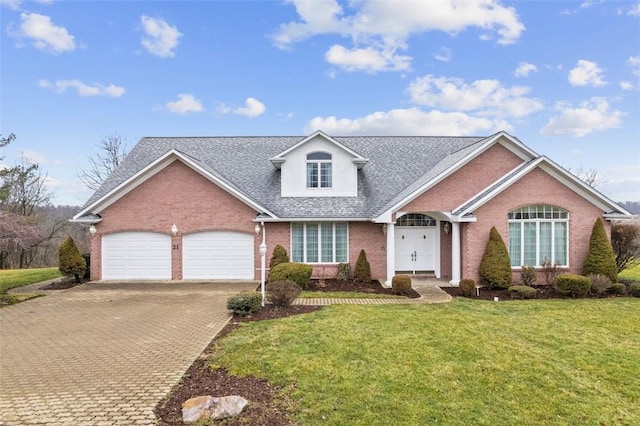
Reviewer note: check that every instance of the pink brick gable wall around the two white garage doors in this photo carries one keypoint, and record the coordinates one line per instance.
(179, 195)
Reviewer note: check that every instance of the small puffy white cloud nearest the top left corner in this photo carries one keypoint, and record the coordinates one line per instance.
(43, 34)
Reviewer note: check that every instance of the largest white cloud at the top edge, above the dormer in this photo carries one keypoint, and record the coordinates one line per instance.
(380, 28)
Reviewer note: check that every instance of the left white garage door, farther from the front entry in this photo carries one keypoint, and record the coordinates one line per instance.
(136, 255)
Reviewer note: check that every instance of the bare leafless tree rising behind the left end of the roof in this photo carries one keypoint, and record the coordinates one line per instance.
(113, 149)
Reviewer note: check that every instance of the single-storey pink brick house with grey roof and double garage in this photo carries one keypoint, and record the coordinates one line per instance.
(187, 207)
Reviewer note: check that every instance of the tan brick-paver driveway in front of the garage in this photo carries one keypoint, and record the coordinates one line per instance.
(104, 353)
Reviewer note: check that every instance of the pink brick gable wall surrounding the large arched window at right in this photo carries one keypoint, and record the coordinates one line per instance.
(536, 188)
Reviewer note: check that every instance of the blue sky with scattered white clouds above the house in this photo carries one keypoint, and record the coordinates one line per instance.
(564, 77)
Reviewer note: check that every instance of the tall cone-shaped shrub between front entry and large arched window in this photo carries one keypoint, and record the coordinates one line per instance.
(495, 267)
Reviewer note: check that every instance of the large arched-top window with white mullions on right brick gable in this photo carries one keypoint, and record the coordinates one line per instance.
(537, 232)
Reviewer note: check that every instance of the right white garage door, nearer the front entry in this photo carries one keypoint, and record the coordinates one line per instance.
(217, 255)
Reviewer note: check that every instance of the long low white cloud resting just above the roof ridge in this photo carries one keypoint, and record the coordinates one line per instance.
(411, 121)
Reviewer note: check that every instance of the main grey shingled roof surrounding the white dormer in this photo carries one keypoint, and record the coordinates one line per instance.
(396, 167)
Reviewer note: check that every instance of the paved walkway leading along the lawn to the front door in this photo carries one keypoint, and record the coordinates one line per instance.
(429, 290)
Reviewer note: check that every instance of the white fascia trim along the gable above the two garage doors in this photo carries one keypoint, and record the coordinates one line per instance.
(152, 169)
